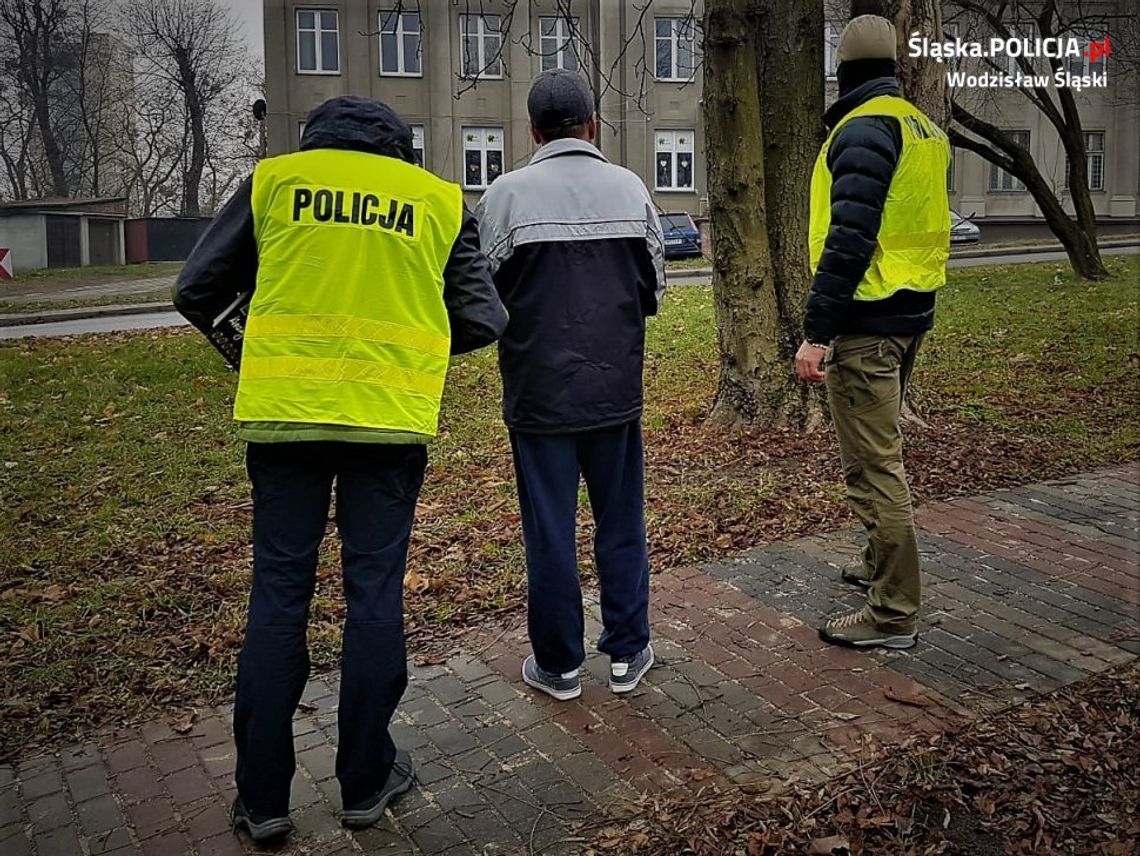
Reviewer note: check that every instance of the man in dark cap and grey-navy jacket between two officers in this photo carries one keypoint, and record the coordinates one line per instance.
(577, 255)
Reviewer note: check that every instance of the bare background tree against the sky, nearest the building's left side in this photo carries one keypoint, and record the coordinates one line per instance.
(196, 50)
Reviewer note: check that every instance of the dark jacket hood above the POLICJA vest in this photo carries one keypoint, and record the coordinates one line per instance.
(359, 125)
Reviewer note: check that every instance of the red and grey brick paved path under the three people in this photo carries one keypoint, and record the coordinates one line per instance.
(1025, 591)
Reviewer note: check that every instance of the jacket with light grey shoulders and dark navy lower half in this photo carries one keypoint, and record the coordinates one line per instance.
(577, 255)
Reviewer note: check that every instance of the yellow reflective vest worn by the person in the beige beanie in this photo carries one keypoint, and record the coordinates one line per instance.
(914, 242)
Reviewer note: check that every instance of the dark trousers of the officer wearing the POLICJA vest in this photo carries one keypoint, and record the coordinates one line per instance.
(377, 491)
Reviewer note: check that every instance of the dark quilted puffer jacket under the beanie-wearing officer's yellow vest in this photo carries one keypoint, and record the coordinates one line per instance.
(862, 160)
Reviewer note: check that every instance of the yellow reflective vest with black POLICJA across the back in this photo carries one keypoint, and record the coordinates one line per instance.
(348, 324)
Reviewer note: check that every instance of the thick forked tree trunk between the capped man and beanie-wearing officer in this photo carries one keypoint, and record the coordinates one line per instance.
(760, 162)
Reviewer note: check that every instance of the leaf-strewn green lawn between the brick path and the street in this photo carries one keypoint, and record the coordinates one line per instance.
(125, 508)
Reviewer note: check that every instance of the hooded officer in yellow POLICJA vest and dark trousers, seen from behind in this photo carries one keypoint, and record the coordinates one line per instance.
(367, 276)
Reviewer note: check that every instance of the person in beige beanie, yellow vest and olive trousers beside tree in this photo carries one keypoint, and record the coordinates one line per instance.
(880, 240)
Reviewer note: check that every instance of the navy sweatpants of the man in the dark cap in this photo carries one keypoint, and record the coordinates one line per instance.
(548, 469)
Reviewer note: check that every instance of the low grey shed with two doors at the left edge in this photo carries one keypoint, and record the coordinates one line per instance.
(60, 233)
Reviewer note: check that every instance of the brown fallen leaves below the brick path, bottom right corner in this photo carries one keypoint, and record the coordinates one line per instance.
(1056, 775)
